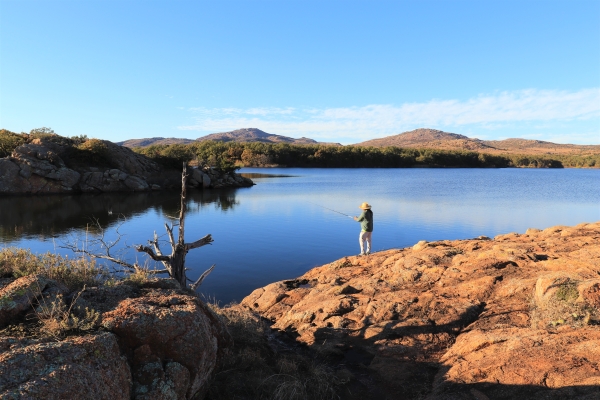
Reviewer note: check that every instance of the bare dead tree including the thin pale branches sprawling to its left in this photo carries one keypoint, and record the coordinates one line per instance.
(174, 263)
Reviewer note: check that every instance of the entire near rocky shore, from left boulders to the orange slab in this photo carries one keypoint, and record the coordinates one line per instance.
(502, 318)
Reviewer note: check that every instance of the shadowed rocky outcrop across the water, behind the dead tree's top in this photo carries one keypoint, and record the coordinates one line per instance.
(45, 166)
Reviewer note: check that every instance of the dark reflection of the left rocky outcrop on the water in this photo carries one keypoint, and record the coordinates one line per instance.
(53, 215)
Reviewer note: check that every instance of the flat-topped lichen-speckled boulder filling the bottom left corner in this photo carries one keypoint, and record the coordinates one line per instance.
(76, 368)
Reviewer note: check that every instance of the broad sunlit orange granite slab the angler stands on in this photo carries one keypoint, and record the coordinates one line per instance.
(483, 318)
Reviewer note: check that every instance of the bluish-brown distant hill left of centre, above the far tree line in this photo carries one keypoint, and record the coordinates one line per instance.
(239, 135)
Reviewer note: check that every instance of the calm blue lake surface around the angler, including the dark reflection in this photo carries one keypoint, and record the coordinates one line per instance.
(279, 229)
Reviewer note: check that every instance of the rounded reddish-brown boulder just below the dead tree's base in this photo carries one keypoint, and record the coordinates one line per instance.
(172, 329)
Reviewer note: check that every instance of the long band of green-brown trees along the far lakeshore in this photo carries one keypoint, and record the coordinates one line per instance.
(231, 155)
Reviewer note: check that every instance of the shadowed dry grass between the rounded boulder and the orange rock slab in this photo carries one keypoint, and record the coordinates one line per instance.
(260, 367)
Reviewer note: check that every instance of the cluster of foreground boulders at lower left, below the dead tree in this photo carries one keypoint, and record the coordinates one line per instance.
(157, 342)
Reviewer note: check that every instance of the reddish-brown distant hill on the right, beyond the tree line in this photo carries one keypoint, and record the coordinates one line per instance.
(436, 139)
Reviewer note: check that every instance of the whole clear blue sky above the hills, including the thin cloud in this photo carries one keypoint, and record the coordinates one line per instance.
(341, 71)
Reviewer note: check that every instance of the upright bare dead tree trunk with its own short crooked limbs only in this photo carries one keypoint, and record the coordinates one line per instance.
(175, 262)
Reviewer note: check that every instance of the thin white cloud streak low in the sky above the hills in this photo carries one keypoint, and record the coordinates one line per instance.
(504, 110)
